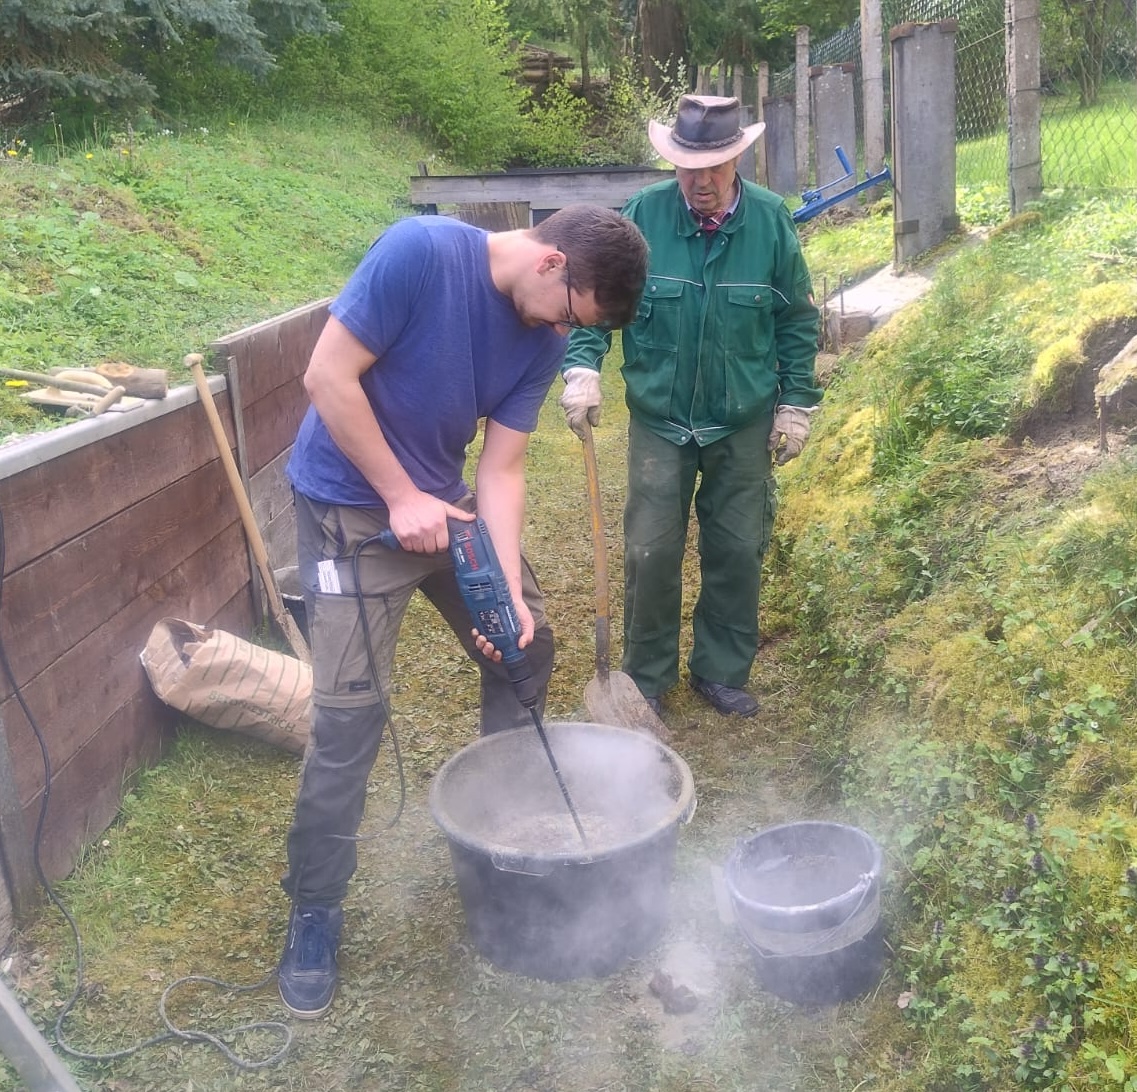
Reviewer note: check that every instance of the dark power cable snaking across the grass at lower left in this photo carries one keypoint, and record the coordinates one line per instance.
(172, 1031)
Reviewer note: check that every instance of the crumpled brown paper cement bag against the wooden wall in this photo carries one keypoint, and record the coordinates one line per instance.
(229, 683)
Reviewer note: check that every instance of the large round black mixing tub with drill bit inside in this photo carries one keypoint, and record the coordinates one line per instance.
(536, 900)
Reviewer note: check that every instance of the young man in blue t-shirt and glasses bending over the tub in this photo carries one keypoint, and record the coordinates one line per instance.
(441, 326)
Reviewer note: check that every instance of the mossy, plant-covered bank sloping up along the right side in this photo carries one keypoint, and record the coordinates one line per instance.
(972, 641)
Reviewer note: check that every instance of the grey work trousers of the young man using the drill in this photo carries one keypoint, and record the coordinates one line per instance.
(352, 681)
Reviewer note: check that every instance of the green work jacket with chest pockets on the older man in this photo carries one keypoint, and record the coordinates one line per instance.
(725, 333)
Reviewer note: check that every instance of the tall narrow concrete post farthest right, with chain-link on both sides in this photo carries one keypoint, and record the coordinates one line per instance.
(1025, 102)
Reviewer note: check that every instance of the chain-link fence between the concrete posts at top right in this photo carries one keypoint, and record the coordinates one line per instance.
(1089, 85)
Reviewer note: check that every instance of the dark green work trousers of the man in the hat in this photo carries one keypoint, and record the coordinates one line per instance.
(735, 502)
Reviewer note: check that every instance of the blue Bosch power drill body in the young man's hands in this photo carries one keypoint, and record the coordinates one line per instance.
(487, 597)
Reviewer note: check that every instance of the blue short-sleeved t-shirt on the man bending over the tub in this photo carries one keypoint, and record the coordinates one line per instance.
(451, 350)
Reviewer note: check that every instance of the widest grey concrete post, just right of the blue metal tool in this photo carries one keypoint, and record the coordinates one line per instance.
(924, 137)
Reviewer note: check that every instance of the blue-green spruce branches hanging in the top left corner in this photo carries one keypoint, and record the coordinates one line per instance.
(53, 51)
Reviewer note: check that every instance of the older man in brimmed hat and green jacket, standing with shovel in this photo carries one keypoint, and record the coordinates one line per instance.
(719, 373)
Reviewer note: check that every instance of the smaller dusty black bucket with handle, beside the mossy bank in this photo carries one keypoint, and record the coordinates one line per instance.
(807, 897)
